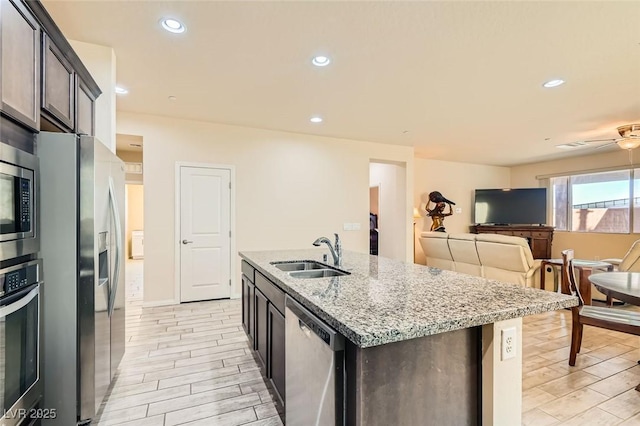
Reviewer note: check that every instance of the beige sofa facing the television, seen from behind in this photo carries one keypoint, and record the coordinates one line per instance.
(500, 257)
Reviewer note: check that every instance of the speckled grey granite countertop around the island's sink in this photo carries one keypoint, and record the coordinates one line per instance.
(385, 301)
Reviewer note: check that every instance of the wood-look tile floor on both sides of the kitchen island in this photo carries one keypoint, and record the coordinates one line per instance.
(191, 364)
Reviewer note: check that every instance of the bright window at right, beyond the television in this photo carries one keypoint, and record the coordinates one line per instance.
(597, 202)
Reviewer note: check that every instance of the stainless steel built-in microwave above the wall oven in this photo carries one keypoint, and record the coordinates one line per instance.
(19, 234)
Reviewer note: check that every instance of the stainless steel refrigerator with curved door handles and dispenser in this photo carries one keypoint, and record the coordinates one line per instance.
(82, 215)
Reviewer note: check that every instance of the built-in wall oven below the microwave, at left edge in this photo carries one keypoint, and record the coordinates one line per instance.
(20, 384)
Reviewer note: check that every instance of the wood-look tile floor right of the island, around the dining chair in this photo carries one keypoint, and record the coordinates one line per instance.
(598, 391)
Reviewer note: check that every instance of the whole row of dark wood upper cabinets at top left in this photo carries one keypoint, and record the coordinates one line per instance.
(43, 83)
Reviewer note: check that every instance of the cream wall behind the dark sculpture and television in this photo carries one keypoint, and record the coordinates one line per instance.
(457, 182)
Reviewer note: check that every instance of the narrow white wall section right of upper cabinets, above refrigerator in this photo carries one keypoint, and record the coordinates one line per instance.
(101, 63)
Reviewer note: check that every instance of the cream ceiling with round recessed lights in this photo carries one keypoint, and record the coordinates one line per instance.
(459, 81)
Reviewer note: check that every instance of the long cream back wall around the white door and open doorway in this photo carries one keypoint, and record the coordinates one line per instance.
(290, 188)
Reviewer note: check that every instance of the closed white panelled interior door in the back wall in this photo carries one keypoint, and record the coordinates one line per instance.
(205, 233)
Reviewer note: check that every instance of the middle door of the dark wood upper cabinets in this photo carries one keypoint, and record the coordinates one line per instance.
(58, 86)
